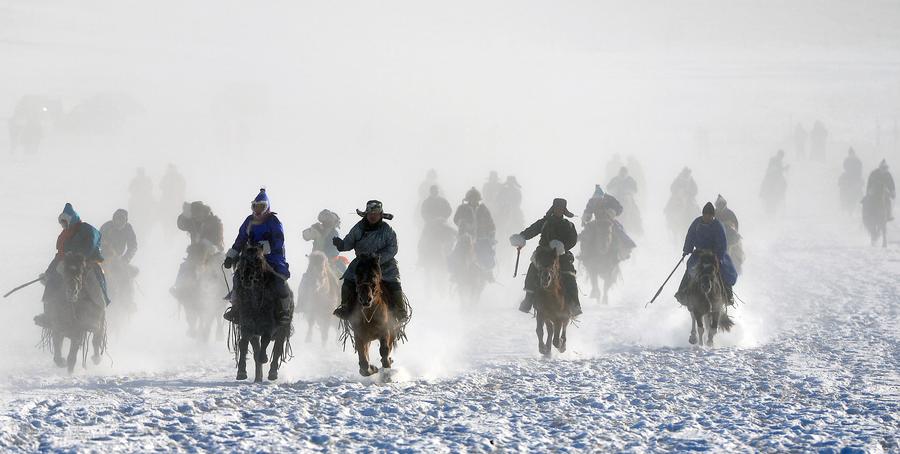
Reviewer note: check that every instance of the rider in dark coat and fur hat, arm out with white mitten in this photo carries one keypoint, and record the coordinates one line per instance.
(557, 233)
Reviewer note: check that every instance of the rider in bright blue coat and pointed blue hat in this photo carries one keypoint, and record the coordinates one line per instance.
(262, 227)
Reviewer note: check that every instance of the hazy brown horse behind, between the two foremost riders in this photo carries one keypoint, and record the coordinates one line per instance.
(318, 295)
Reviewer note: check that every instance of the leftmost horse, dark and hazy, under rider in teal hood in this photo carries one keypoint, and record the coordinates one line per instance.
(79, 313)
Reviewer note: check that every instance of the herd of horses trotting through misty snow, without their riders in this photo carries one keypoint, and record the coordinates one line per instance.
(82, 318)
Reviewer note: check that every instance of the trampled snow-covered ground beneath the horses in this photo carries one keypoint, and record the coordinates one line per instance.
(813, 364)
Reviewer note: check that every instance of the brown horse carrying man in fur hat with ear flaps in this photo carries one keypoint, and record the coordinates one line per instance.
(371, 319)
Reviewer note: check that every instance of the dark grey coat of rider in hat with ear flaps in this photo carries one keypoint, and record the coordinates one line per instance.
(380, 240)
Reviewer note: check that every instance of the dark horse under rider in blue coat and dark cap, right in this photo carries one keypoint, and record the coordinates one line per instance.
(705, 299)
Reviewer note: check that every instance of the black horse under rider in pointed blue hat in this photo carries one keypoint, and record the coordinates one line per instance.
(258, 293)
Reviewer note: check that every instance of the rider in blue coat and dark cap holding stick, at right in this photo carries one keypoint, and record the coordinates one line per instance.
(707, 233)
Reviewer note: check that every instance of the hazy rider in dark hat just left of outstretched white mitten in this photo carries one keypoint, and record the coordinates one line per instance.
(473, 218)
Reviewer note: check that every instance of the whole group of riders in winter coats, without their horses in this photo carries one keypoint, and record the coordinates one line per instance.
(465, 249)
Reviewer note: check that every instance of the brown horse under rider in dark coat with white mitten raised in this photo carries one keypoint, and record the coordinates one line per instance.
(550, 302)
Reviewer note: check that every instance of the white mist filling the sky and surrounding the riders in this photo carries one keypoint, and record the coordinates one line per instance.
(330, 105)
